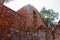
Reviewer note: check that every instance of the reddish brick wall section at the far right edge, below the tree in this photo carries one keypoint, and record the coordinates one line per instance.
(56, 32)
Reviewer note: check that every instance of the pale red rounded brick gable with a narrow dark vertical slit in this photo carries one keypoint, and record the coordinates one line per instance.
(33, 19)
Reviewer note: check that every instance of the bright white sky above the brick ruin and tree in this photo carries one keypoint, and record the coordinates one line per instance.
(38, 4)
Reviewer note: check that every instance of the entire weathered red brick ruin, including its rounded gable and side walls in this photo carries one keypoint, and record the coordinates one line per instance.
(26, 24)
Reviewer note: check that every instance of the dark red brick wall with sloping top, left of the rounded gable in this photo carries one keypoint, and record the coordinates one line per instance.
(10, 24)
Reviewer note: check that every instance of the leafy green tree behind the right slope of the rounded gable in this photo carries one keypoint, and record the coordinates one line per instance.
(49, 17)
